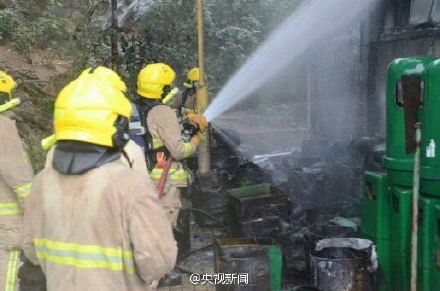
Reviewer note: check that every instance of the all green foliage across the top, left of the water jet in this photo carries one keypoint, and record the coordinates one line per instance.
(166, 32)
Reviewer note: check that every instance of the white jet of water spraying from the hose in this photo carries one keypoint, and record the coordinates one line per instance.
(312, 22)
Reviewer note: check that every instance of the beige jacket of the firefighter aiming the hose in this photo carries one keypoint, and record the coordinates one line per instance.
(165, 130)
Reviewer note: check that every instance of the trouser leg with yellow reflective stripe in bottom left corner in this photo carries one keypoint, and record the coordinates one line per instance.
(9, 264)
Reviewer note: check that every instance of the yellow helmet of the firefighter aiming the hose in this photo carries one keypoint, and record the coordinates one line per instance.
(155, 80)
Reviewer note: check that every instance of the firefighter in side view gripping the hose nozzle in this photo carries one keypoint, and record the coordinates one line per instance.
(163, 137)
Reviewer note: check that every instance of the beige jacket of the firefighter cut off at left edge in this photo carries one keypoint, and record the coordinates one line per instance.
(15, 184)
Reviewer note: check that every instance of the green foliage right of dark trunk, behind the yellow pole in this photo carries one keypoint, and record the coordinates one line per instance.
(233, 30)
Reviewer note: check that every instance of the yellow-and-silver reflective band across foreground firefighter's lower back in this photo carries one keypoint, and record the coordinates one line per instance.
(84, 256)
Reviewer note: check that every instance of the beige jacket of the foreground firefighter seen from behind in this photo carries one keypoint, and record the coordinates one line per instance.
(101, 230)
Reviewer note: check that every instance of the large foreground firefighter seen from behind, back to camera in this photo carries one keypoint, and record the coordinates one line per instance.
(93, 222)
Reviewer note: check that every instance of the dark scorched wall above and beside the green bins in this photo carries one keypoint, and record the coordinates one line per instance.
(392, 37)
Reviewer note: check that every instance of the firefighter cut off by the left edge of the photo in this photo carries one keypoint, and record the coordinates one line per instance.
(15, 183)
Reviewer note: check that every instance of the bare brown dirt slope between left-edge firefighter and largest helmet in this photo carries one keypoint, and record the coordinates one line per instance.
(37, 85)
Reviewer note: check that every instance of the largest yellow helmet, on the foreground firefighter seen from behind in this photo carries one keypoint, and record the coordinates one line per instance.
(92, 111)
